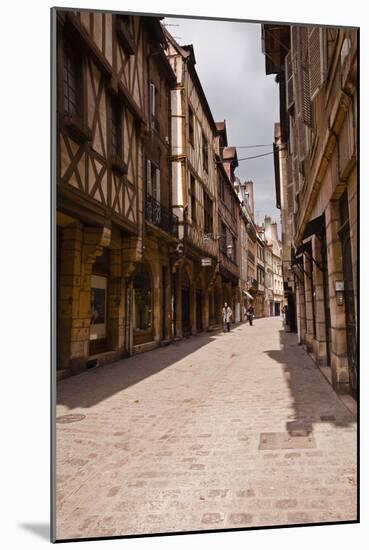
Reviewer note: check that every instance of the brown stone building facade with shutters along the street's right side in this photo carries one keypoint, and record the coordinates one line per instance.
(316, 181)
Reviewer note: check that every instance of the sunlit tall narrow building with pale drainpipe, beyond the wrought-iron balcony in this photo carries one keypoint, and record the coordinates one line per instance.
(194, 195)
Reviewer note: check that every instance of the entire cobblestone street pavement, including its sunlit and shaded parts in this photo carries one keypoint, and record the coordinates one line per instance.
(171, 439)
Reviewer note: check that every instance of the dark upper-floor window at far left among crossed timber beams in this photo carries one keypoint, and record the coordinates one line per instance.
(71, 82)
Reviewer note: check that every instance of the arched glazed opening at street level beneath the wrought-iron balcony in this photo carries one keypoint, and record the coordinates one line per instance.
(142, 306)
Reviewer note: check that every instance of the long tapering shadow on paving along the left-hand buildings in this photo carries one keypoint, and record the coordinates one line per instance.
(94, 385)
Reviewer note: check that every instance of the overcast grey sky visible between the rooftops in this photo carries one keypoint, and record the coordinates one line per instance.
(231, 68)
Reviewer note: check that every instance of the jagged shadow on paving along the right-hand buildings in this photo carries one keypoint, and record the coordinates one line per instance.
(314, 400)
